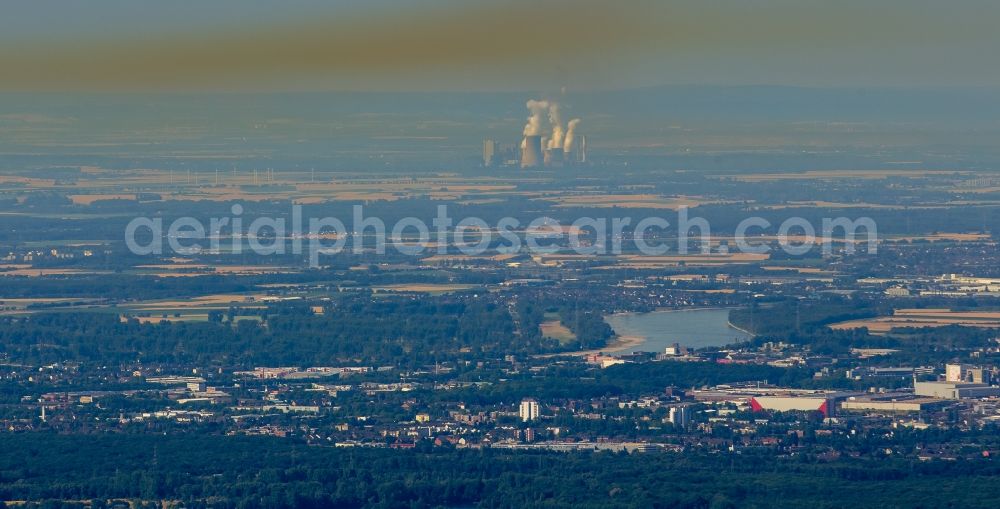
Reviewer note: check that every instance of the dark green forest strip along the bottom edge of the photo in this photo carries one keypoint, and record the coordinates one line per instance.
(263, 472)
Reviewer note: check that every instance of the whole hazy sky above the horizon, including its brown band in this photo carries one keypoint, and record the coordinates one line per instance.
(182, 45)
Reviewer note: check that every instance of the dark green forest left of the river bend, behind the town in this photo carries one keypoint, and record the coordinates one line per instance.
(403, 331)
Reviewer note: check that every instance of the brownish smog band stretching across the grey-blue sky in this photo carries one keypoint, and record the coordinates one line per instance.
(479, 38)
